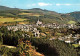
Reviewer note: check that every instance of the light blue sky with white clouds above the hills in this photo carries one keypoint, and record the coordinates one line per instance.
(60, 6)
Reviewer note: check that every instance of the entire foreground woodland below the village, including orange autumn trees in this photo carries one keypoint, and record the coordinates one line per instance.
(42, 45)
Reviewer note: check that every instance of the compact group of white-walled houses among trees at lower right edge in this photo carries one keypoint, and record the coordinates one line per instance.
(70, 38)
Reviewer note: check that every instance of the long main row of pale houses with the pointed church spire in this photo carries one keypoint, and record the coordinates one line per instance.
(25, 27)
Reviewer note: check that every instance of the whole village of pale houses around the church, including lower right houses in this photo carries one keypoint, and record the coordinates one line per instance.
(25, 27)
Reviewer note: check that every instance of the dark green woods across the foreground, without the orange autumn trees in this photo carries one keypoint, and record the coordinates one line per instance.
(43, 45)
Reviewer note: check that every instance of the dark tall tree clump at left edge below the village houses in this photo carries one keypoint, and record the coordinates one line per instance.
(10, 37)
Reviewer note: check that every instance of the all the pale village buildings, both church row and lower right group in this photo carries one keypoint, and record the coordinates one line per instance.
(33, 28)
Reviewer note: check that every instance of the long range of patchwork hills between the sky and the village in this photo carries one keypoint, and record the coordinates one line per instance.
(44, 15)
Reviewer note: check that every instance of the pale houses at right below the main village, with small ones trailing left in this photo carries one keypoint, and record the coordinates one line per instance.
(69, 38)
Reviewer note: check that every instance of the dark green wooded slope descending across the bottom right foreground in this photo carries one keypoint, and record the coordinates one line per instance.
(54, 48)
